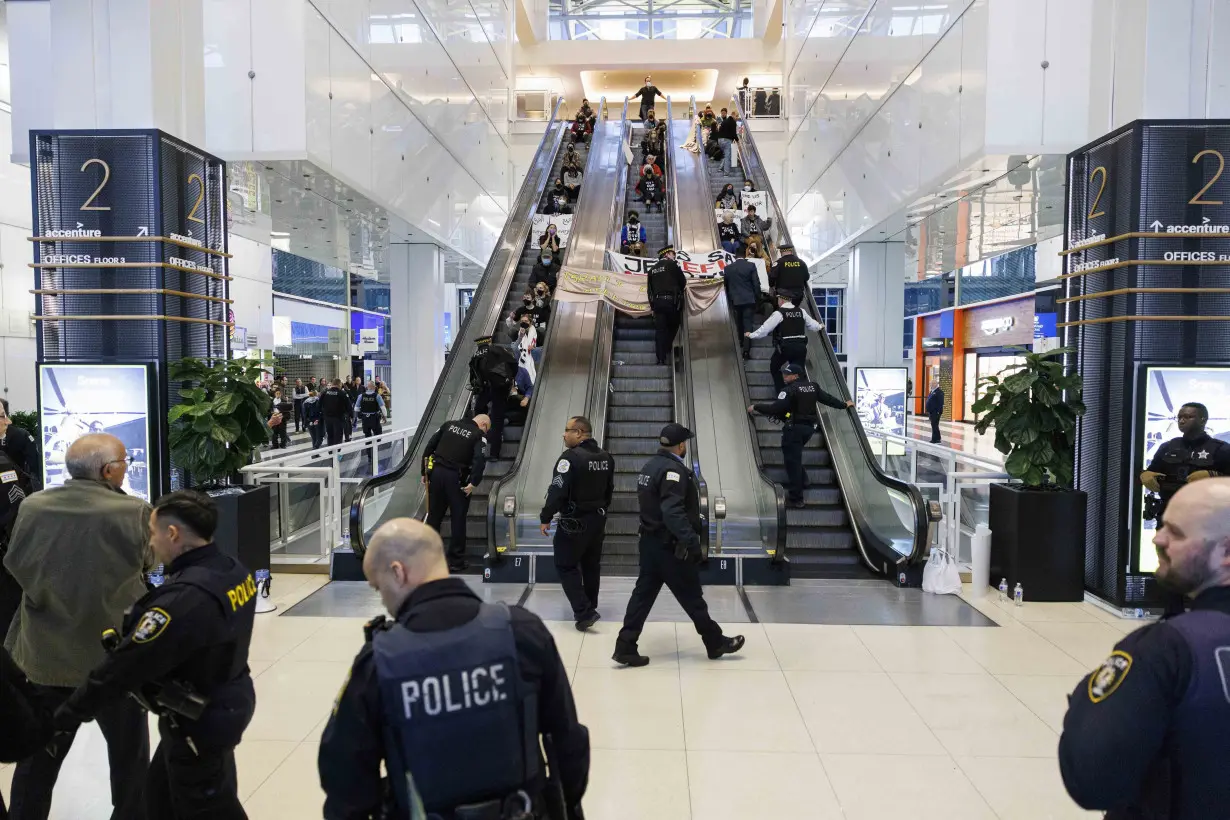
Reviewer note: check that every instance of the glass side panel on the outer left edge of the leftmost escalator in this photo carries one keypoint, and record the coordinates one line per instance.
(399, 492)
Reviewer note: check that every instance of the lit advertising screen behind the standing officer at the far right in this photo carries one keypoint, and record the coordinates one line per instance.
(1167, 390)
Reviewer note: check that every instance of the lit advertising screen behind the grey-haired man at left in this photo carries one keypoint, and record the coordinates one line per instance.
(81, 399)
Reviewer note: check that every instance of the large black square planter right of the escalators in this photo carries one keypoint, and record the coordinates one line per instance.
(1039, 542)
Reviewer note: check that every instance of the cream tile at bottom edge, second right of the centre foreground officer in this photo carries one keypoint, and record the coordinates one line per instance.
(800, 786)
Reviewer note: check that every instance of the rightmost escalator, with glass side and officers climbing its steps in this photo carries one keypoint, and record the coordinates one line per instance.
(857, 518)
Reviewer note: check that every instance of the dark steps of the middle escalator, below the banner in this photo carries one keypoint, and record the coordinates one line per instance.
(641, 400)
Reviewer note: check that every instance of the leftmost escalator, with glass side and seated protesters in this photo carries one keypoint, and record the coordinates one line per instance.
(399, 492)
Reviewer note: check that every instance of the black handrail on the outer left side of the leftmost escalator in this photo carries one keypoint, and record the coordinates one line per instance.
(533, 191)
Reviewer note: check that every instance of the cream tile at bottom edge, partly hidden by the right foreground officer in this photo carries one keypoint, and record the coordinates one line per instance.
(1023, 789)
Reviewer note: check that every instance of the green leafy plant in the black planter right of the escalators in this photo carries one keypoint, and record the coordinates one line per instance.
(1035, 412)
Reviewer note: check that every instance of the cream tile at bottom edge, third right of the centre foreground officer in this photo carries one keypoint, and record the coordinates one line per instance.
(886, 787)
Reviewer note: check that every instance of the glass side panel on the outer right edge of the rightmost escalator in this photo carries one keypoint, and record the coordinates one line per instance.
(889, 516)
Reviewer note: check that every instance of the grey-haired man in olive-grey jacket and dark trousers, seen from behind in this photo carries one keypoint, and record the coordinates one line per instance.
(78, 553)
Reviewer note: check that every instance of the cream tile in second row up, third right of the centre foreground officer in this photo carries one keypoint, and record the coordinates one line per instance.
(860, 714)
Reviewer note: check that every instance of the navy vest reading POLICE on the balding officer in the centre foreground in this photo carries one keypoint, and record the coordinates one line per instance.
(461, 722)
